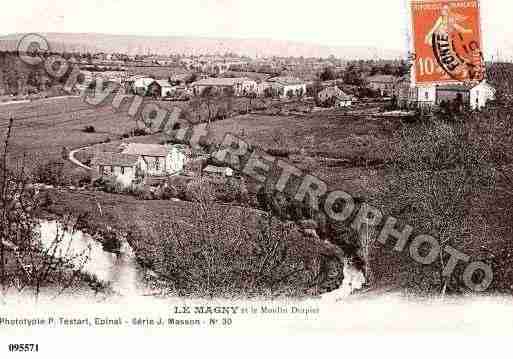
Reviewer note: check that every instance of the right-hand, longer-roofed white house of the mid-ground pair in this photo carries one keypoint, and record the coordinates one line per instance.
(157, 160)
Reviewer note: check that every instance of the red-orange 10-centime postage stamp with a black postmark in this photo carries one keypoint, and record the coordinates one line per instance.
(447, 41)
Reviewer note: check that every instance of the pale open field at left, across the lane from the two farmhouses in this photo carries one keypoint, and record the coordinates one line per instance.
(42, 128)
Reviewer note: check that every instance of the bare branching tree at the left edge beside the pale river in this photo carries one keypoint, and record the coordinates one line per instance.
(27, 263)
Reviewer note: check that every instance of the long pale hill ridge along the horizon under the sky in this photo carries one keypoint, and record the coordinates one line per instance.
(135, 44)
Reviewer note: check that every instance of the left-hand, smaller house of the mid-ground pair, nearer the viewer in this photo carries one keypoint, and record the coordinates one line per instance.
(115, 164)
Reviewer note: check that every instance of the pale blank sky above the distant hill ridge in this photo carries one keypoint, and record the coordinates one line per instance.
(373, 23)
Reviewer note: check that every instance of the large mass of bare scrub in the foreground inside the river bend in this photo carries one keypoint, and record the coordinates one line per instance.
(224, 259)
